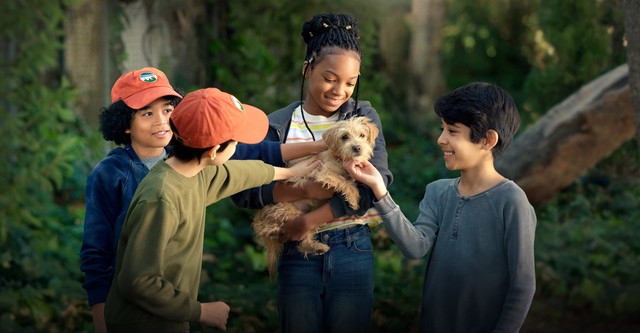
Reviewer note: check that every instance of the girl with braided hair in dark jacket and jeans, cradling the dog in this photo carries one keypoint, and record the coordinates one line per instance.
(331, 292)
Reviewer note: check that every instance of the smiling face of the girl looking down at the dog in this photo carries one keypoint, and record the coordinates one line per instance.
(332, 81)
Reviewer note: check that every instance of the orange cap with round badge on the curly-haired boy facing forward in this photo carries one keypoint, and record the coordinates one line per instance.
(141, 87)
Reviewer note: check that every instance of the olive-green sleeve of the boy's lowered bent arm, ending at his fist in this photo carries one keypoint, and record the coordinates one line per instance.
(141, 278)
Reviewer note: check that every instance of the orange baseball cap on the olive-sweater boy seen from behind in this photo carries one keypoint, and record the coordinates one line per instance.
(208, 117)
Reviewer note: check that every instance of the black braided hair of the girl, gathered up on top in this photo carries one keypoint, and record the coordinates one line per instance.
(328, 34)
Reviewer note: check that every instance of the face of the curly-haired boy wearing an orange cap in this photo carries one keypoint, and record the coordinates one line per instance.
(150, 131)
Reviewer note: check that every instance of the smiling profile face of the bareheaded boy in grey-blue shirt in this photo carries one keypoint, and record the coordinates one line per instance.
(459, 152)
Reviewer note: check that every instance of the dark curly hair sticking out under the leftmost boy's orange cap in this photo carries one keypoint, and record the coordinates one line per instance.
(116, 119)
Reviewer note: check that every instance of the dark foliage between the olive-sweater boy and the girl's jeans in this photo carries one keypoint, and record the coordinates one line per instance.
(235, 270)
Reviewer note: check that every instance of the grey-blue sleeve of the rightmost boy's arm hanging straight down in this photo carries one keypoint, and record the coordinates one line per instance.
(520, 224)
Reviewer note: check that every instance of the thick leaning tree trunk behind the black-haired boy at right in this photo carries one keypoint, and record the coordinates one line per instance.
(572, 137)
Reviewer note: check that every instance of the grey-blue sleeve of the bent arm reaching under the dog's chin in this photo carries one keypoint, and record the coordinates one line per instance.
(414, 240)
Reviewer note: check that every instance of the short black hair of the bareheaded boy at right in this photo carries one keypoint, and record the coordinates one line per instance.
(481, 107)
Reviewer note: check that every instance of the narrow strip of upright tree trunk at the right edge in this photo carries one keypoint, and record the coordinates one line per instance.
(631, 9)
